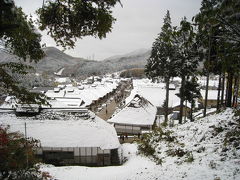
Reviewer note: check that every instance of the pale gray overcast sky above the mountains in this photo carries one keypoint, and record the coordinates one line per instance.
(137, 26)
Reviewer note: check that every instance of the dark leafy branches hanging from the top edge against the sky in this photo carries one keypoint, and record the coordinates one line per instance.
(67, 20)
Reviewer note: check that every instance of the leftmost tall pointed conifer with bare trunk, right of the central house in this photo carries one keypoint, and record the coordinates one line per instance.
(162, 62)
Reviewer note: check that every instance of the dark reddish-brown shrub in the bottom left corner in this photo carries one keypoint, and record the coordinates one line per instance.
(17, 160)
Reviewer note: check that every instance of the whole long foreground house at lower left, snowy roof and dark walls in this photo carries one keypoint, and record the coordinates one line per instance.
(70, 141)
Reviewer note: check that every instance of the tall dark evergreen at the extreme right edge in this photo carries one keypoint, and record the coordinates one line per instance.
(228, 17)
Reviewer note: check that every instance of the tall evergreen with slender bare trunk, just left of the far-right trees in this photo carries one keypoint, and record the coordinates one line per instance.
(207, 30)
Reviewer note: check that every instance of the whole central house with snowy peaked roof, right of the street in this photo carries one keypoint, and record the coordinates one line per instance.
(137, 116)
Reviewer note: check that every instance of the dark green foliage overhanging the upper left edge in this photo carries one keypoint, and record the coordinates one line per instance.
(18, 37)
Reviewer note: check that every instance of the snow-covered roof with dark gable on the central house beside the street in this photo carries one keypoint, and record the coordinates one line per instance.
(139, 111)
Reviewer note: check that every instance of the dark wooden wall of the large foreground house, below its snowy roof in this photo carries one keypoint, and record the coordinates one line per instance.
(90, 156)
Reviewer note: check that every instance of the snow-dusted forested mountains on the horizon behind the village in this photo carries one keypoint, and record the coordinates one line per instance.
(56, 60)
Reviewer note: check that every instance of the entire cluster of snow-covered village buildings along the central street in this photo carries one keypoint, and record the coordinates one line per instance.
(114, 110)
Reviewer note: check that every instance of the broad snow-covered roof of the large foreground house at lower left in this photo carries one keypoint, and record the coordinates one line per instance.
(67, 132)
